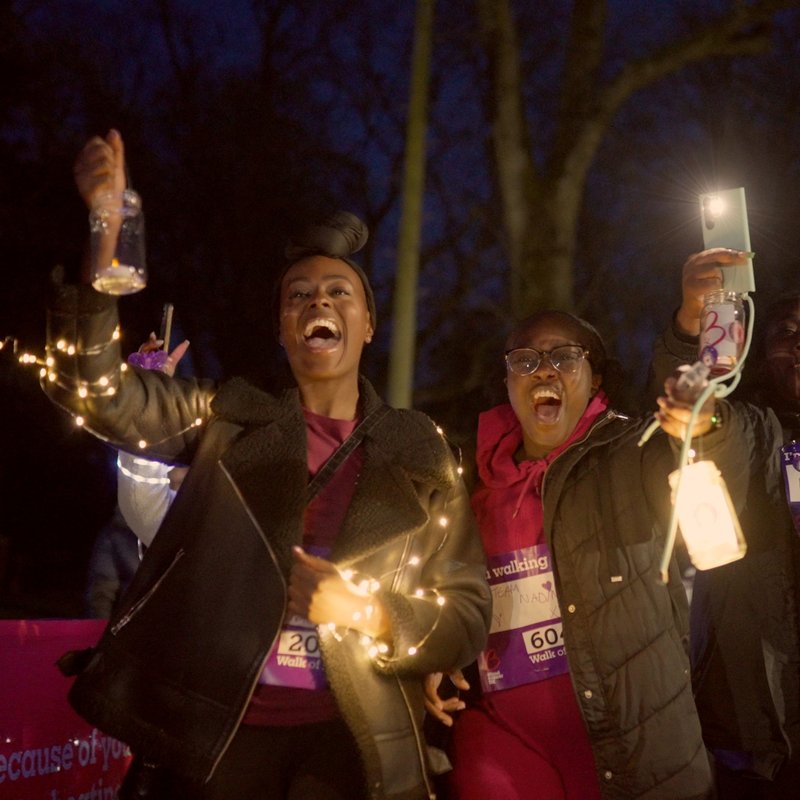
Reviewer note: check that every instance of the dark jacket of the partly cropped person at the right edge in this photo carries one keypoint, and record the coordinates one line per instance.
(744, 620)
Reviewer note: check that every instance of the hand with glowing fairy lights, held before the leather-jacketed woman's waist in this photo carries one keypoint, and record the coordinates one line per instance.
(318, 592)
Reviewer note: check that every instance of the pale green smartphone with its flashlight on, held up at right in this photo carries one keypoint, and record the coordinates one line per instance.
(724, 218)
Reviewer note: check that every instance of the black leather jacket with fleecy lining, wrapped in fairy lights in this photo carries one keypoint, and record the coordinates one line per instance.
(175, 670)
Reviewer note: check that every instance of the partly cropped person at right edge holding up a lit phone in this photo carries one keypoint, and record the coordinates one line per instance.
(745, 628)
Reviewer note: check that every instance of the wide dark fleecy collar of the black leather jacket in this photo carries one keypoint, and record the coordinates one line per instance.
(268, 463)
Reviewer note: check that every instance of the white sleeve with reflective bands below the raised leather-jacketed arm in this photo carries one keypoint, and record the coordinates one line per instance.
(143, 493)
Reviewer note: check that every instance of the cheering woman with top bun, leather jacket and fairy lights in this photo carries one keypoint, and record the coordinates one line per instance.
(319, 559)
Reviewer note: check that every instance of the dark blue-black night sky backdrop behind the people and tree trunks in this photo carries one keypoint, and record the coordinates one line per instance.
(333, 89)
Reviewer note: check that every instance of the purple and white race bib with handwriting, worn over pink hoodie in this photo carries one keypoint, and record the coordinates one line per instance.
(525, 640)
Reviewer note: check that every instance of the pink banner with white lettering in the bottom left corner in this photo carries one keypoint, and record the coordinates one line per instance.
(47, 752)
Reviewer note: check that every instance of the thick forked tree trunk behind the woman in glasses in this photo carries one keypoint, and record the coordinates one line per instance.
(541, 207)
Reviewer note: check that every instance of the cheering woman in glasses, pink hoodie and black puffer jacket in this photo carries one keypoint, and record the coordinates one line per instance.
(585, 678)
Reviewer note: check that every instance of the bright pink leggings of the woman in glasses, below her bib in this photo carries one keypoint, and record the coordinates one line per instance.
(489, 760)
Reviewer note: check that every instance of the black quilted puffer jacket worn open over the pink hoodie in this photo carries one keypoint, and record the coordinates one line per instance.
(606, 504)
